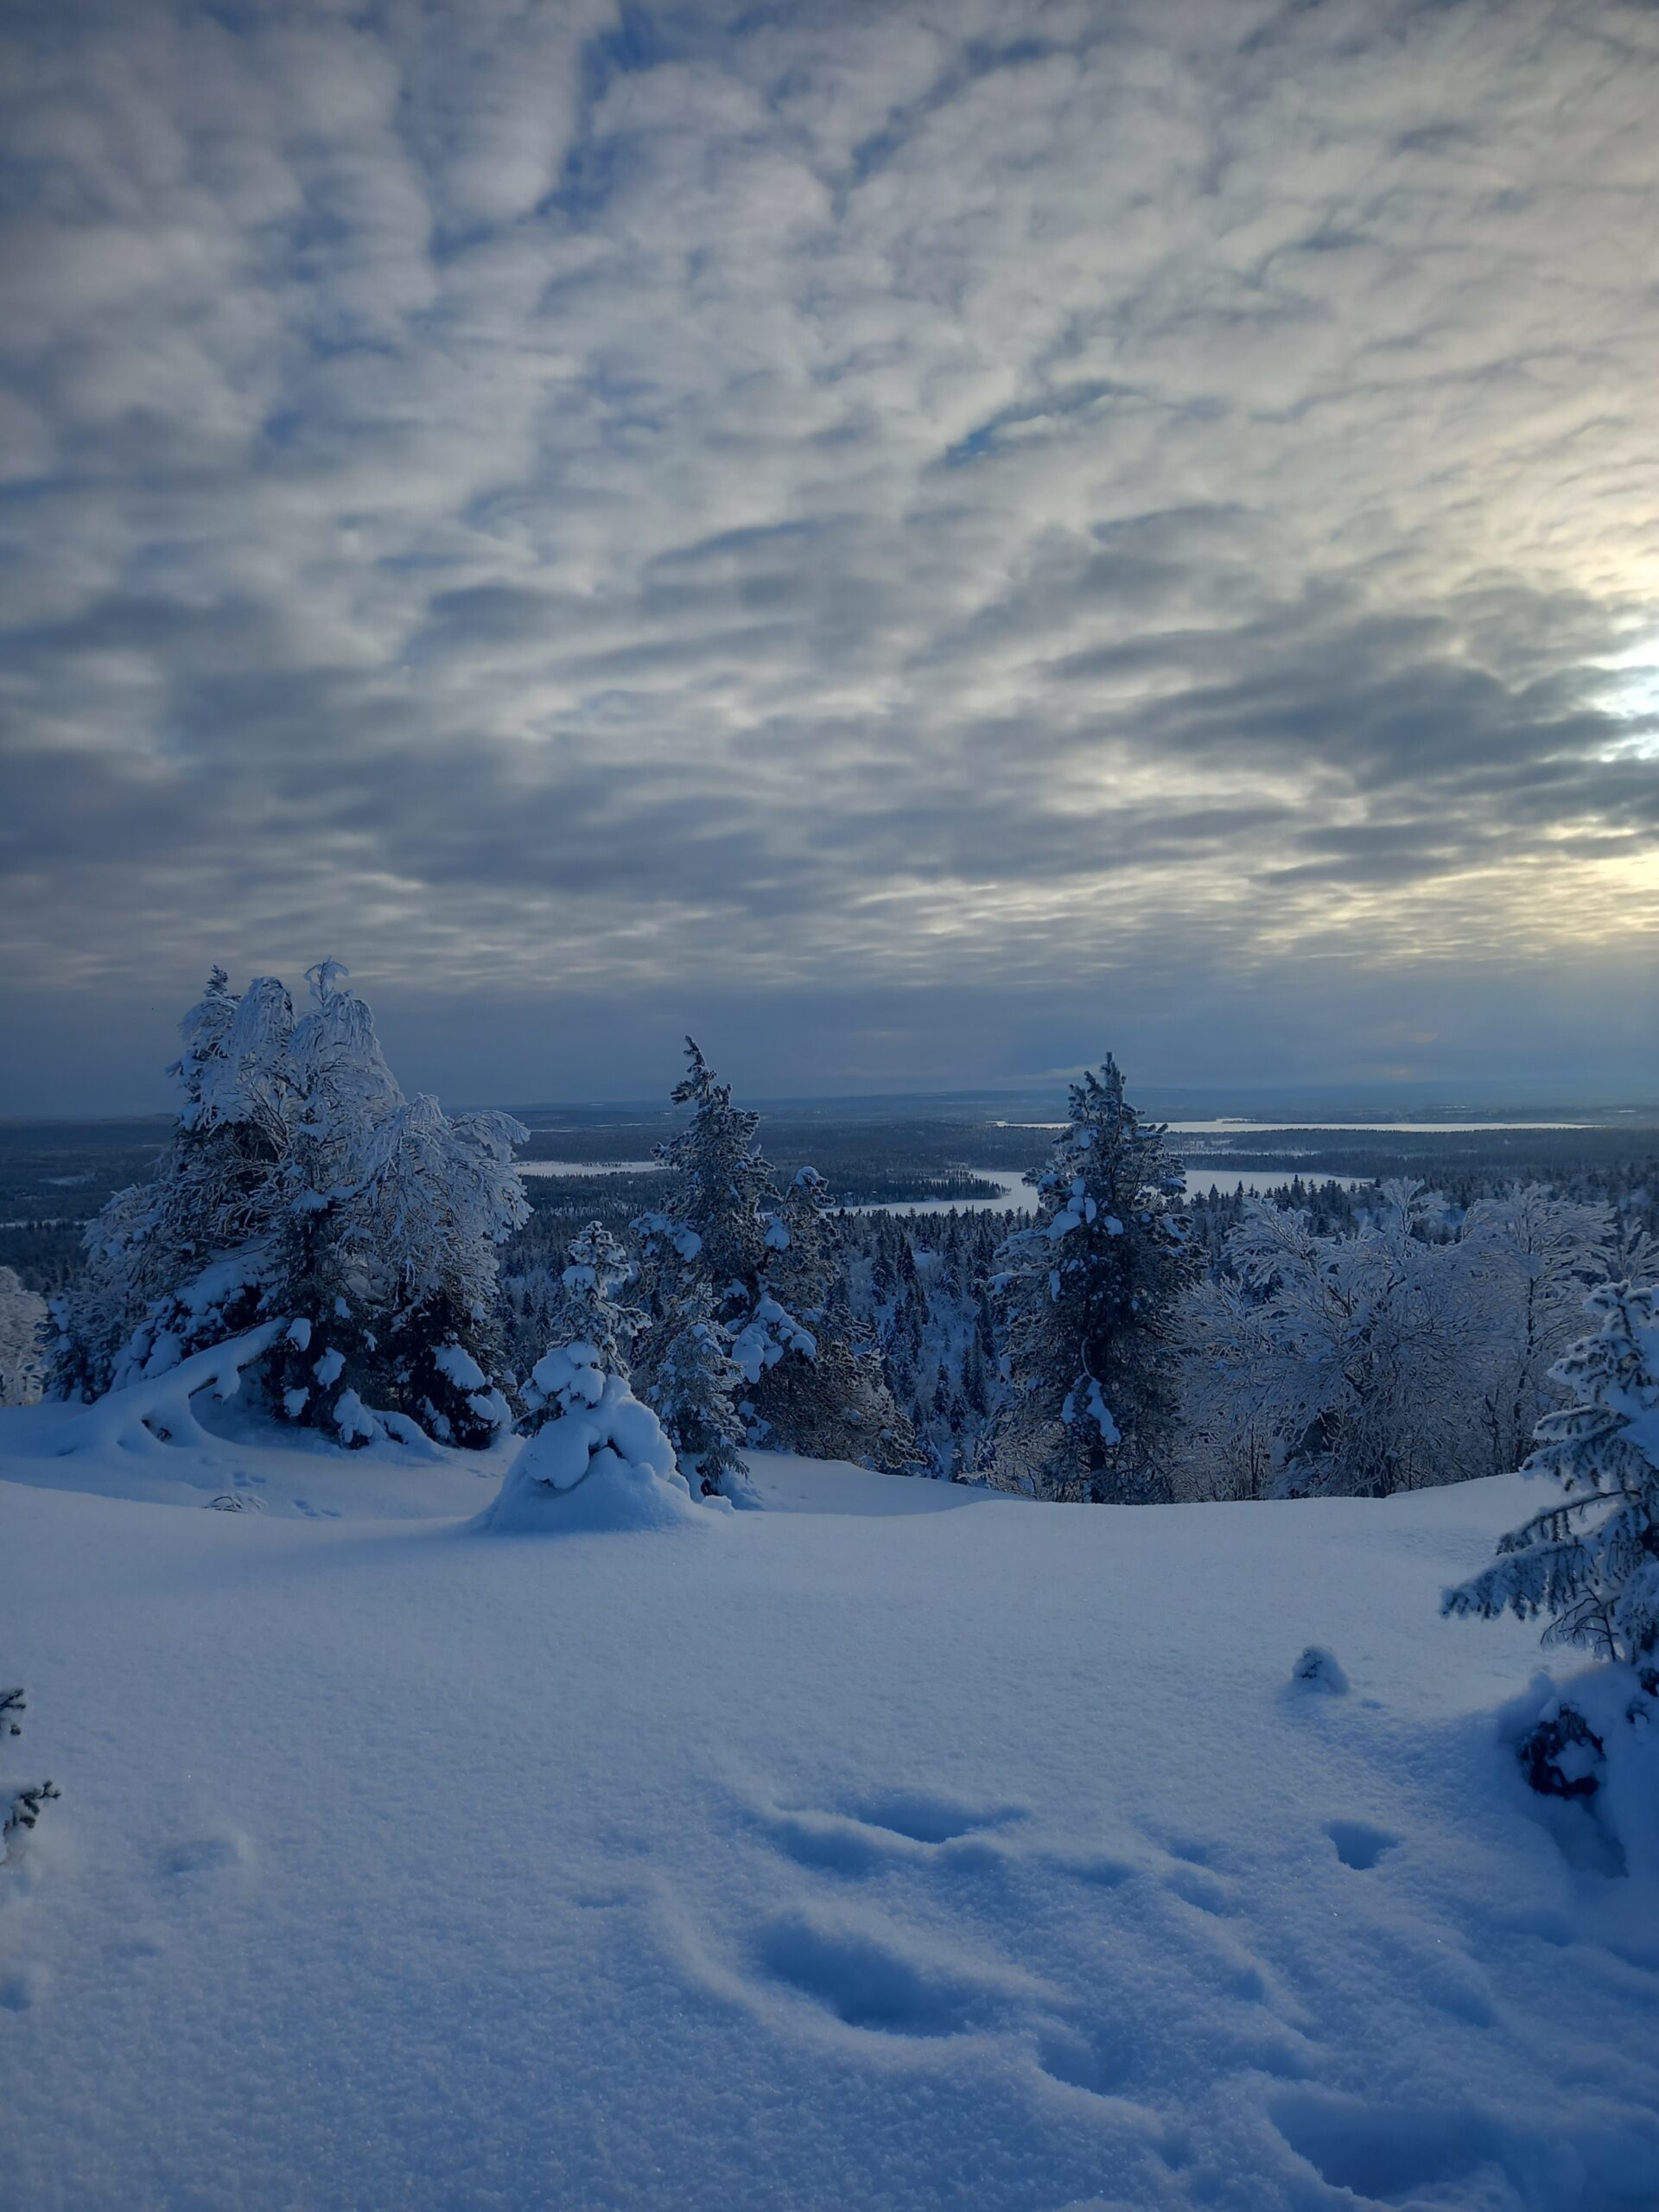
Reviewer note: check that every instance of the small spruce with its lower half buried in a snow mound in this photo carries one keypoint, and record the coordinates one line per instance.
(596, 1457)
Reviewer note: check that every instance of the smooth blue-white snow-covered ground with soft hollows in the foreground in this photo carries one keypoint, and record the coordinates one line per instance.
(893, 1848)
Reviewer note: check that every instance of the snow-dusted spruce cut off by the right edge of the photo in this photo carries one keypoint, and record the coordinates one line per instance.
(1592, 1563)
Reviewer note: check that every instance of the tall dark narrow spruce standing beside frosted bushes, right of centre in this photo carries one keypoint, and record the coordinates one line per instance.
(1089, 1297)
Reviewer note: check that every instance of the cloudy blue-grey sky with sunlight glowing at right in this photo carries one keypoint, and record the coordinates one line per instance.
(921, 541)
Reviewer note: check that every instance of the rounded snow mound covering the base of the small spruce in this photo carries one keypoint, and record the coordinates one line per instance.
(594, 1468)
